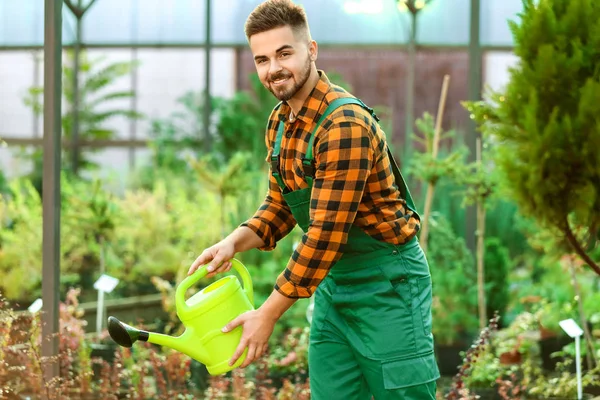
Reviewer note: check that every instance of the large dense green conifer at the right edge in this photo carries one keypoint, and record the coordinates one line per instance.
(547, 120)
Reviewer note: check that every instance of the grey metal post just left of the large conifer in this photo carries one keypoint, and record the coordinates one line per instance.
(474, 94)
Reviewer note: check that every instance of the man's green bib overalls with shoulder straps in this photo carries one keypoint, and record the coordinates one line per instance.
(371, 326)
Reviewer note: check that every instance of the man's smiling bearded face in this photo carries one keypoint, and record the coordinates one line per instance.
(283, 60)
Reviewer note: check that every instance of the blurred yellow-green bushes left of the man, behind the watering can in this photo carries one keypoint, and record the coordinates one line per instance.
(146, 233)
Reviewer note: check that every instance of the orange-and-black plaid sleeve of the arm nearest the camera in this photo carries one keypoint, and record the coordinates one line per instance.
(344, 159)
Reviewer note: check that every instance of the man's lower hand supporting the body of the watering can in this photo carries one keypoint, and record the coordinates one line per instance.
(257, 328)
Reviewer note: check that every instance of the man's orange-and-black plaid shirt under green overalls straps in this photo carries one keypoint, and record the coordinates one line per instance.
(354, 184)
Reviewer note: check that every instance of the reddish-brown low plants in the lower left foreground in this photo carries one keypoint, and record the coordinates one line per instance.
(146, 372)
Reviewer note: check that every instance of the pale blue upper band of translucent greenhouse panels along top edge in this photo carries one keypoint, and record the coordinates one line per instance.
(182, 22)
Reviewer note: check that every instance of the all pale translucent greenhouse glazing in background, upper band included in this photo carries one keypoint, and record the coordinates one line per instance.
(166, 73)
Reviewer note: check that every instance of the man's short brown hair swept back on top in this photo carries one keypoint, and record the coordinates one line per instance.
(273, 14)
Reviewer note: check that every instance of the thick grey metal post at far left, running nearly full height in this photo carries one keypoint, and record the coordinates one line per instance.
(51, 184)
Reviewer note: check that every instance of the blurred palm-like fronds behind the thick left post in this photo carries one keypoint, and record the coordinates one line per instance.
(98, 104)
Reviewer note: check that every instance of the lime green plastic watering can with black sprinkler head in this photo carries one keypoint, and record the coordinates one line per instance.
(203, 315)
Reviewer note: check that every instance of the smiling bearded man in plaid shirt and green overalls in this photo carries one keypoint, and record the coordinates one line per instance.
(332, 174)
